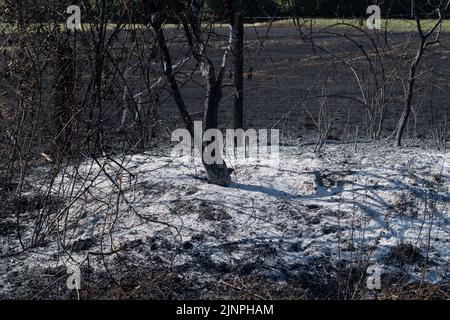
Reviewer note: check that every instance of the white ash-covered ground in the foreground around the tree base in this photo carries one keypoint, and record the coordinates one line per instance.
(308, 229)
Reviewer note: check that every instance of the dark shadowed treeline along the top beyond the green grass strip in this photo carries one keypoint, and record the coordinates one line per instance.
(38, 10)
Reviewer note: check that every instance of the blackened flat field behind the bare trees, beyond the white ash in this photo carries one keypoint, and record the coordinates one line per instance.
(336, 82)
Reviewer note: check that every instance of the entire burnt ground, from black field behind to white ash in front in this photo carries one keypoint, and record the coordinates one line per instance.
(86, 183)
